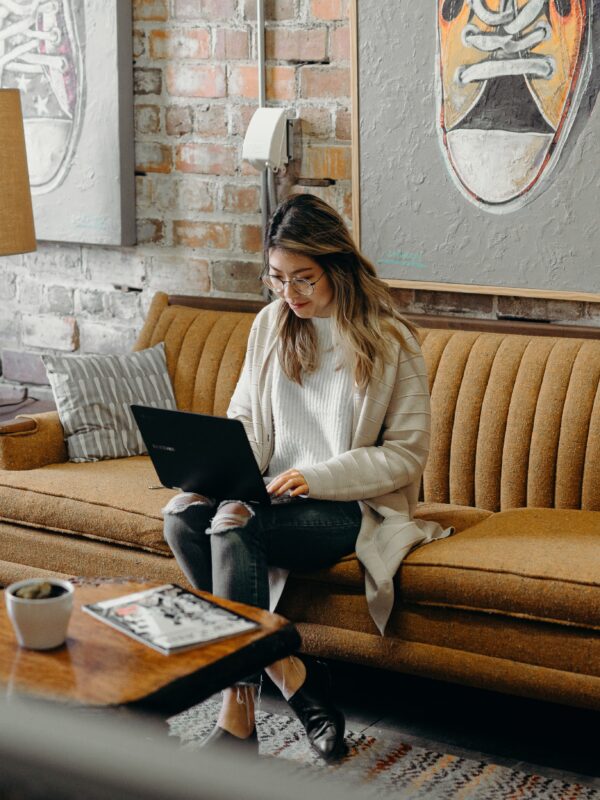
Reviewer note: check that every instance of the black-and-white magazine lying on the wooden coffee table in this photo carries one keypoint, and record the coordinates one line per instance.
(169, 618)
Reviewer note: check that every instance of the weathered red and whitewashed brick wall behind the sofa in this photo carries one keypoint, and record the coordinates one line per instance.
(198, 204)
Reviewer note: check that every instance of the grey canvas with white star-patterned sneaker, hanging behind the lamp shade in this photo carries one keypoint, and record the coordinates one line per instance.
(72, 62)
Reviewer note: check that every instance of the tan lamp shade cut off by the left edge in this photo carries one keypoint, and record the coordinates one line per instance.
(17, 232)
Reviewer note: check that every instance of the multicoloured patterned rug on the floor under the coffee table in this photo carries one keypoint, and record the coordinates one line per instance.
(389, 766)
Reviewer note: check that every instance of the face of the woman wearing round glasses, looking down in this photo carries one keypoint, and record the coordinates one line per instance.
(286, 266)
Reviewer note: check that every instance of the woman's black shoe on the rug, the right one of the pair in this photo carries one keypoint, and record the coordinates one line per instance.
(323, 722)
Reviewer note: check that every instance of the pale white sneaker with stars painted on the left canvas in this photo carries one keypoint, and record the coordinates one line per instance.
(40, 54)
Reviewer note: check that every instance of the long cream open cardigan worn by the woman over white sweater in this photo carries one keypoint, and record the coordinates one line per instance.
(383, 468)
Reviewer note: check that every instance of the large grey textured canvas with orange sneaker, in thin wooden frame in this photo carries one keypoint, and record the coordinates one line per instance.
(479, 142)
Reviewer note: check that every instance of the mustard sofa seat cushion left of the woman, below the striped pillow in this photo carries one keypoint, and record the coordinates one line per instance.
(107, 500)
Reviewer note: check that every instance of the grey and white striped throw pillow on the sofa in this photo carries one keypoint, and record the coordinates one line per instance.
(93, 394)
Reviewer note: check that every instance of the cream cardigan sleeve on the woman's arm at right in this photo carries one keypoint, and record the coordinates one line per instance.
(398, 458)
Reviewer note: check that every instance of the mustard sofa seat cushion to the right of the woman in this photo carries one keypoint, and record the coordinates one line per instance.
(542, 564)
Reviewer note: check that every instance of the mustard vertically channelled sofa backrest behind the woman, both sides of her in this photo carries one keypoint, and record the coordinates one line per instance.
(515, 419)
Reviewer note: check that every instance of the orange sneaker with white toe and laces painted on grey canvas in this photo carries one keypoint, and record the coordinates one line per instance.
(511, 76)
